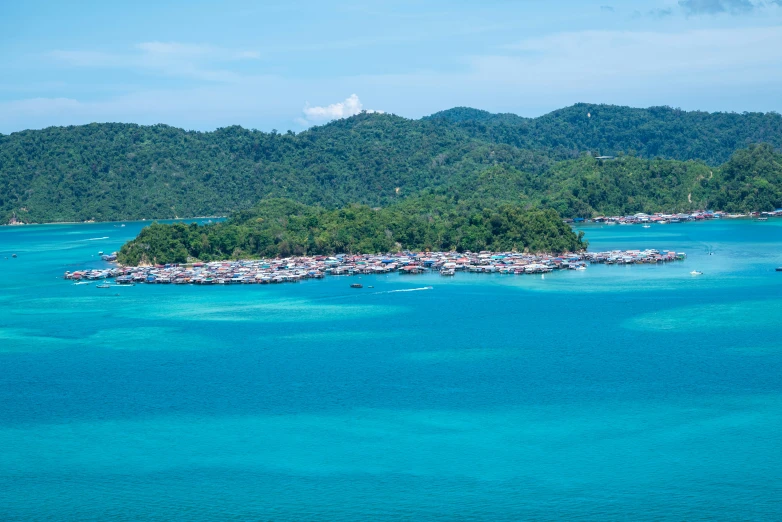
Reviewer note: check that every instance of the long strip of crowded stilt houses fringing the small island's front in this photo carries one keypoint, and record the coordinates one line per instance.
(292, 269)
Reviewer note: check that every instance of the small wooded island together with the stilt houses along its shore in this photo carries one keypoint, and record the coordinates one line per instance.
(281, 241)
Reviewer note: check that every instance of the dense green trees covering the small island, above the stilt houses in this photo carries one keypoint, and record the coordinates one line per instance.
(281, 227)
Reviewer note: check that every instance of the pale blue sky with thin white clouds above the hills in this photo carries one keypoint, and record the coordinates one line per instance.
(289, 65)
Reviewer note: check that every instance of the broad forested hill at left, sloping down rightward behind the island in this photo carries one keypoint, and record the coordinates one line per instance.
(123, 171)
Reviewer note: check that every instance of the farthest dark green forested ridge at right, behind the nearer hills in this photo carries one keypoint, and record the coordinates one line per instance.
(609, 129)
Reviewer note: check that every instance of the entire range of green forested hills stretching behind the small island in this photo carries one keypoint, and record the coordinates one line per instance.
(124, 171)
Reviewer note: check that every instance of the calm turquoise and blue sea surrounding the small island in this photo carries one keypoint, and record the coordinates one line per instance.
(616, 393)
